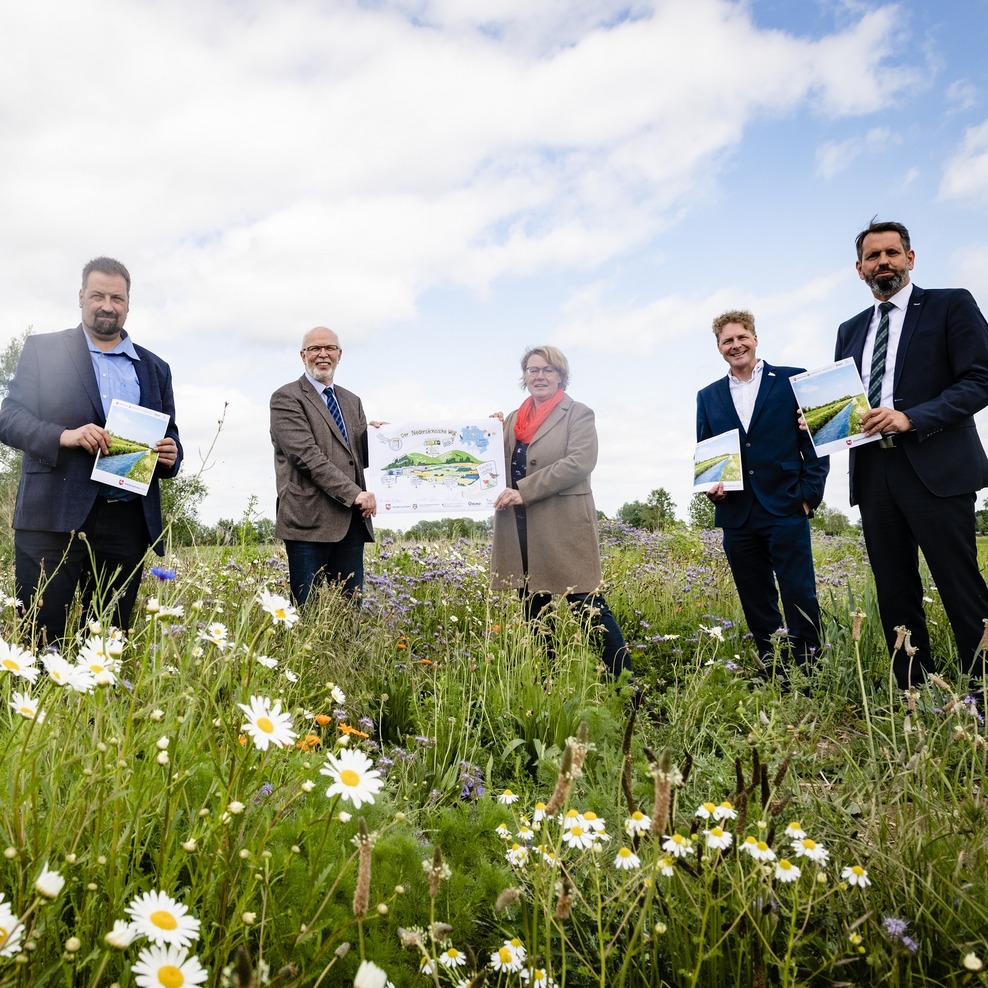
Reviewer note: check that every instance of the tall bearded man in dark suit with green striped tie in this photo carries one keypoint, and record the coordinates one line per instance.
(923, 357)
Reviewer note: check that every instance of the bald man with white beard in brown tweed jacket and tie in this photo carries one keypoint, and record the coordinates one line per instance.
(320, 451)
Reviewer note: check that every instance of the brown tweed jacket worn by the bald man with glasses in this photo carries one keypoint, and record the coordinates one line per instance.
(317, 474)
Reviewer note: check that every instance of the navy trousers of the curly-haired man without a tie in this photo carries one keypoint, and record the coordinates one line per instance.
(769, 548)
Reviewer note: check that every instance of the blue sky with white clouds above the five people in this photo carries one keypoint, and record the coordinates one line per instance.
(444, 183)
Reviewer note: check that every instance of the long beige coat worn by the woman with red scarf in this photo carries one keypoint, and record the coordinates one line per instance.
(563, 552)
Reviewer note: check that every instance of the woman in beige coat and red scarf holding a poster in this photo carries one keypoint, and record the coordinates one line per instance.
(545, 526)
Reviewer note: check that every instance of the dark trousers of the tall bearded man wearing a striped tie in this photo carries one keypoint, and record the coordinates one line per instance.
(899, 515)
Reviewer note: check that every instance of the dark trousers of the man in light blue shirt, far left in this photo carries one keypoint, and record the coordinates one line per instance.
(48, 566)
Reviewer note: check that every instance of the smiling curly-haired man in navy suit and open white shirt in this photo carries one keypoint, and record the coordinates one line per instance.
(766, 525)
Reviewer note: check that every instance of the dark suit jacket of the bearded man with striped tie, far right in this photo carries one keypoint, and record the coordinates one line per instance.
(940, 381)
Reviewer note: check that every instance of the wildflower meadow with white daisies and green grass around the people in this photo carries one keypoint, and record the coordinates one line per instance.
(418, 794)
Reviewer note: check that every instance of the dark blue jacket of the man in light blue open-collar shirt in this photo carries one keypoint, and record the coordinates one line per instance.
(54, 388)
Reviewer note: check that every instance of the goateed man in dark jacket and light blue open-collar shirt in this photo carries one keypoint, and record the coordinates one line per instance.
(55, 413)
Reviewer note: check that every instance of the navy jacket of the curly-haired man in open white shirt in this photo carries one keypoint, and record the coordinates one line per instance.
(779, 465)
